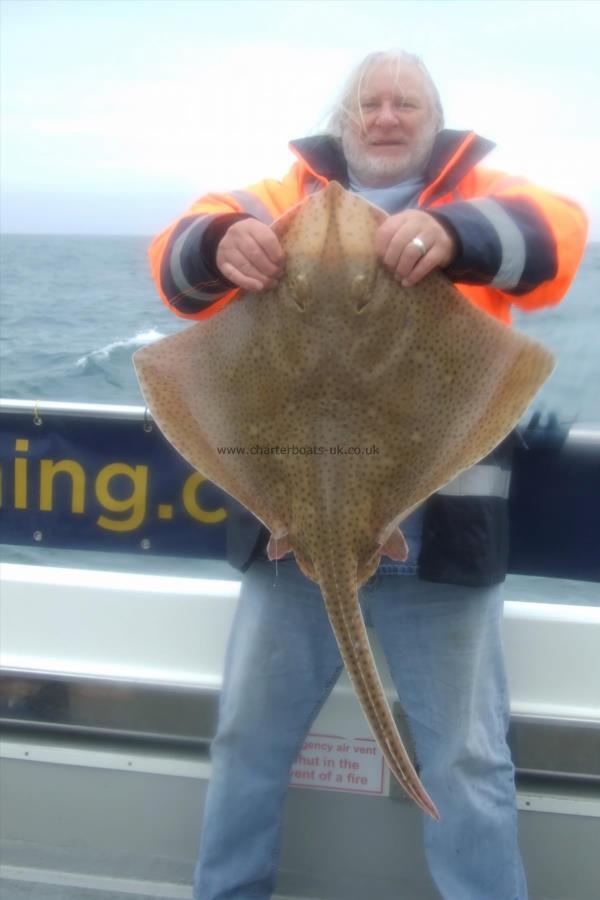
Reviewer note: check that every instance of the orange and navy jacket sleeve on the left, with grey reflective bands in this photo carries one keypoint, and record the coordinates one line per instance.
(182, 256)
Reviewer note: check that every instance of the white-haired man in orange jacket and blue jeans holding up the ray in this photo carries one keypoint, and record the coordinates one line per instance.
(502, 241)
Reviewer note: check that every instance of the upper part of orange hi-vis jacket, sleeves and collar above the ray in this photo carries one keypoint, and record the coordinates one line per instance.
(517, 243)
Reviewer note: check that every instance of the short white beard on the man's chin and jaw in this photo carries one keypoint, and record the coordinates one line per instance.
(379, 171)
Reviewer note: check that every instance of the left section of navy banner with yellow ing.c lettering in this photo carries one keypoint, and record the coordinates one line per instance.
(104, 484)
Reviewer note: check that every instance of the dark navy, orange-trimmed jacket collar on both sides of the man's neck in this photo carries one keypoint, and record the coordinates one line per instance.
(454, 154)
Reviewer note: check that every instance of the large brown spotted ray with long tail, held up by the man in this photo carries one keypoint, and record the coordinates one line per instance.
(333, 404)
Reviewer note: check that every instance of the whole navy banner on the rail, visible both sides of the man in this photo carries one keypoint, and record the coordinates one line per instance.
(92, 482)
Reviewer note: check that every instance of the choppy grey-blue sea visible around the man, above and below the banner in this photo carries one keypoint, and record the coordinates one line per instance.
(74, 308)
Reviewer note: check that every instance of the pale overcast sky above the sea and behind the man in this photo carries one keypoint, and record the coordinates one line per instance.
(116, 114)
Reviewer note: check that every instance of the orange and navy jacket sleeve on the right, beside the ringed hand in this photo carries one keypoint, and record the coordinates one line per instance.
(522, 240)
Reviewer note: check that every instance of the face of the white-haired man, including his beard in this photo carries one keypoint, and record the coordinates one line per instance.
(392, 139)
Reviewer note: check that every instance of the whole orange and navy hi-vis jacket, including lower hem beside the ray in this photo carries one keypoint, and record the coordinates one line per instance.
(516, 244)
